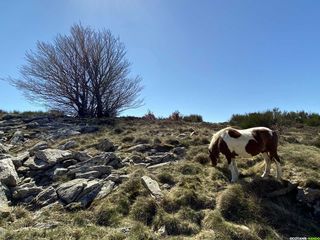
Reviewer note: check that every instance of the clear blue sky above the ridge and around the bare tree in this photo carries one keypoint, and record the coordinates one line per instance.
(210, 57)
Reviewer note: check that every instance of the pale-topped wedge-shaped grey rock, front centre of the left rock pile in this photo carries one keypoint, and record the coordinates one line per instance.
(69, 191)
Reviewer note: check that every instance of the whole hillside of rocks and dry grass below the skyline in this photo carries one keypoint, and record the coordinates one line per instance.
(131, 178)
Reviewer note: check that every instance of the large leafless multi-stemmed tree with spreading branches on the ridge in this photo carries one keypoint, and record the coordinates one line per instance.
(85, 73)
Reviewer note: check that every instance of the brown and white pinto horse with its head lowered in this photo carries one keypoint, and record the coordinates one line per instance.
(246, 143)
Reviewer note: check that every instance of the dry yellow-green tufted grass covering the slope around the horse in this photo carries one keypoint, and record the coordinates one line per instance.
(201, 204)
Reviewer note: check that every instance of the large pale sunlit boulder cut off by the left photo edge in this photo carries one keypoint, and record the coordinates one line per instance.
(8, 173)
